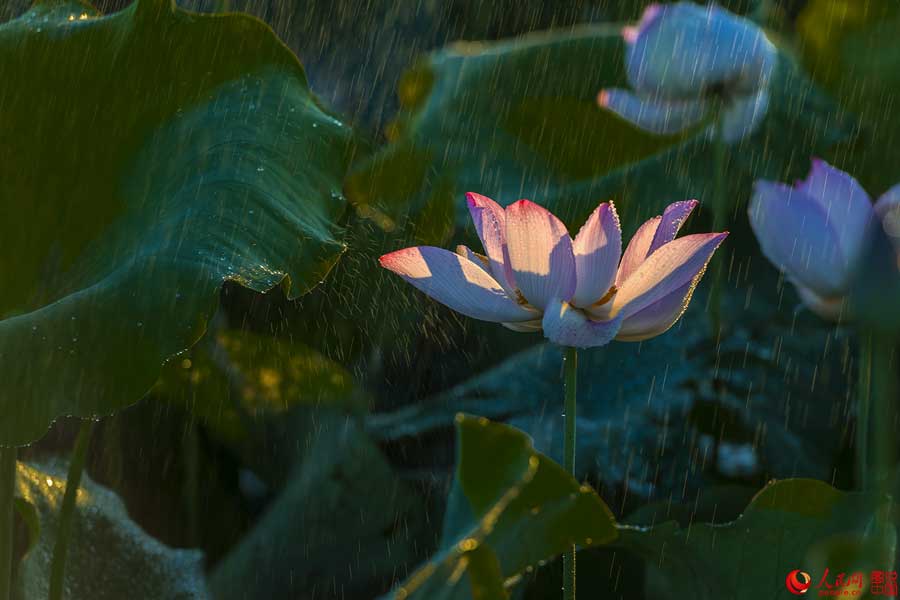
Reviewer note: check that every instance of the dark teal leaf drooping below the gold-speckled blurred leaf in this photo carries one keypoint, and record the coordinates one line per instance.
(345, 524)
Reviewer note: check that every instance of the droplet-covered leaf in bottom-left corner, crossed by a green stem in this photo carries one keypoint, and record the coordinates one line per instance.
(110, 557)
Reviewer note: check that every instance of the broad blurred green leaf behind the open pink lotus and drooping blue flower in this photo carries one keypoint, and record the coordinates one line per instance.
(519, 118)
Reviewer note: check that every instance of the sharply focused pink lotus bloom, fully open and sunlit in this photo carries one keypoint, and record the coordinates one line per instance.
(534, 277)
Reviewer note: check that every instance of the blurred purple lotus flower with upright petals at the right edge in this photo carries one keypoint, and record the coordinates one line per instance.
(815, 231)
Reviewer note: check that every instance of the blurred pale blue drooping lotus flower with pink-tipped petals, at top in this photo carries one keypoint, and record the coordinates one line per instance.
(687, 63)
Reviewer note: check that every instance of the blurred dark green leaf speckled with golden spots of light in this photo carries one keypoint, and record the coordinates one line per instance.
(246, 388)
